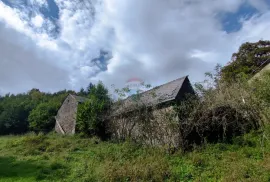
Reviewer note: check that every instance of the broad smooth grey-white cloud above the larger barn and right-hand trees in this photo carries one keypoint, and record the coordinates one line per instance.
(161, 40)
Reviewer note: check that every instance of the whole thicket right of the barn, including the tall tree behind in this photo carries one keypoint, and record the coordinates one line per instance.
(230, 102)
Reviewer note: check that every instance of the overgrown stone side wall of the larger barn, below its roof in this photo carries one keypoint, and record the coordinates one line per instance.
(157, 126)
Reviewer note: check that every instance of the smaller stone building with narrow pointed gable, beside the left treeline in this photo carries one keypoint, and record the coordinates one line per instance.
(66, 116)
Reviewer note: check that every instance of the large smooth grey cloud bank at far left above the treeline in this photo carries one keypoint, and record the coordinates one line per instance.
(23, 66)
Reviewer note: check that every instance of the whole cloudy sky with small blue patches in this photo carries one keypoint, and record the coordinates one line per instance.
(66, 44)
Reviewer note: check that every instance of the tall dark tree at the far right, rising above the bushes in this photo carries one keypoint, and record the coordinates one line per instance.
(250, 59)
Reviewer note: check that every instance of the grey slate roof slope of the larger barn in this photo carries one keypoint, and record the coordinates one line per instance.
(160, 94)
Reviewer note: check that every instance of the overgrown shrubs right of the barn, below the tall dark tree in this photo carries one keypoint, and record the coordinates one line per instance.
(224, 110)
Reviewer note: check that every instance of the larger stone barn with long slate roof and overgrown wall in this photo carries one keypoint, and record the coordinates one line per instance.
(150, 116)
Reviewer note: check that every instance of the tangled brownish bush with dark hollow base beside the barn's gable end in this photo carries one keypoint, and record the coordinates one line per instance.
(224, 112)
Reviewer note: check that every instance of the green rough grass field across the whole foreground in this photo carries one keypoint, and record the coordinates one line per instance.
(57, 158)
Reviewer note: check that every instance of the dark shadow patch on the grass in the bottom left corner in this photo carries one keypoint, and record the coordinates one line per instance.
(10, 168)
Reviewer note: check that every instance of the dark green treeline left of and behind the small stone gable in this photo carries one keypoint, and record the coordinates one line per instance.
(32, 111)
